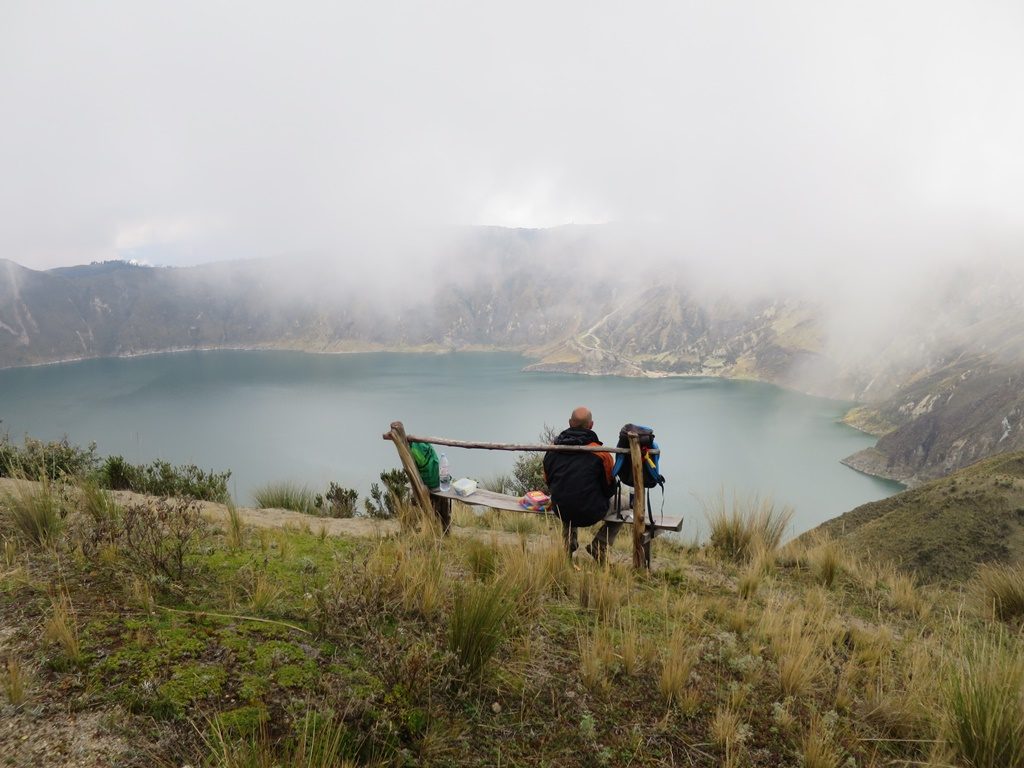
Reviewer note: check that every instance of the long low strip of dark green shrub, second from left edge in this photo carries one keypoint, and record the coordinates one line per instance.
(162, 479)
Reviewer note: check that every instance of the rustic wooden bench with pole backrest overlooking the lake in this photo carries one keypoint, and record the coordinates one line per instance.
(441, 502)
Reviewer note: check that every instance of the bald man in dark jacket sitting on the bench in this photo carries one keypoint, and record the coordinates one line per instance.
(582, 486)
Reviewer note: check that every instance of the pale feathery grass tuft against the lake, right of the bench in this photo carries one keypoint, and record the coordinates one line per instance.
(746, 528)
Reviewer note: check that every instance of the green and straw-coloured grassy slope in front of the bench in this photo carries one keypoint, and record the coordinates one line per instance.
(282, 648)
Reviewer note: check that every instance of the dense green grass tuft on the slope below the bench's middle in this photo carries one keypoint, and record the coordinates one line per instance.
(480, 625)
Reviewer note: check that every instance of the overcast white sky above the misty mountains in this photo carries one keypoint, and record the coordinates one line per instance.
(757, 132)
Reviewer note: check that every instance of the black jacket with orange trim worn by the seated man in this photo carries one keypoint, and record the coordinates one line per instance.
(581, 484)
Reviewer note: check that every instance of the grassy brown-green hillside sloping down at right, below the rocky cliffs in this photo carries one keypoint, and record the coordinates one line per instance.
(944, 530)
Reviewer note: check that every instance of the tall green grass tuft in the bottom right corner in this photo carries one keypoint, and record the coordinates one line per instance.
(986, 704)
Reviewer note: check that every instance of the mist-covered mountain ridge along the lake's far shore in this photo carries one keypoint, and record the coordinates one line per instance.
(940, 394)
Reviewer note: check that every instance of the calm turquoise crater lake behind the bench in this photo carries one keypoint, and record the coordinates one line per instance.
(273, 416)
